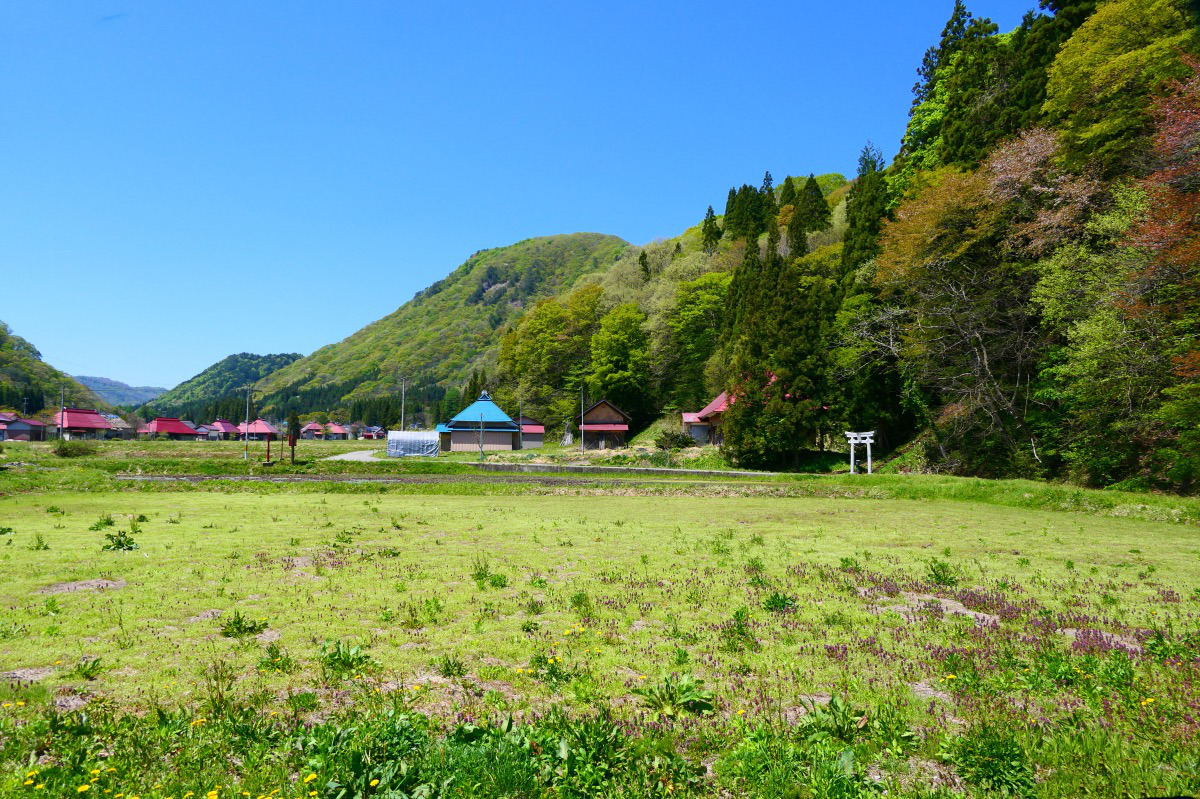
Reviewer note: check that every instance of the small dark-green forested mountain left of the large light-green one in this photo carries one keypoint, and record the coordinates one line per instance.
(212, 393)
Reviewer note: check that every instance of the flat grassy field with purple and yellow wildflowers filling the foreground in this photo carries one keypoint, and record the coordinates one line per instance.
(466, 635)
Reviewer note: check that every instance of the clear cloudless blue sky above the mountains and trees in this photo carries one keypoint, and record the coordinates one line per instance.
(164, 165)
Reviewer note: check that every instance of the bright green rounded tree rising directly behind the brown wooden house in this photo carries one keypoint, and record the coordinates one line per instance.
(621, 363)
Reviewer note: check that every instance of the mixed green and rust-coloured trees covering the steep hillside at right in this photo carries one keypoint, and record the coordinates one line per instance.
(1016, 293)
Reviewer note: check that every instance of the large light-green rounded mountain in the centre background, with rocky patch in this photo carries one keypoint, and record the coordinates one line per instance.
(446, 329)
